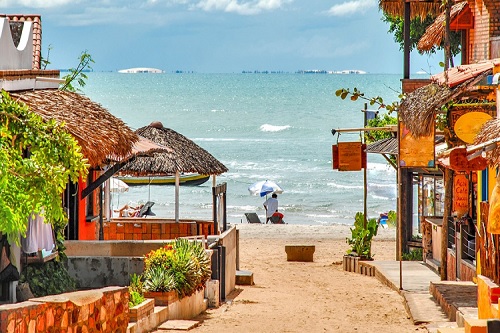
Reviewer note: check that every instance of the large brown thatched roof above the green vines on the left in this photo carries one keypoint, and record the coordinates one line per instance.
(98, 132)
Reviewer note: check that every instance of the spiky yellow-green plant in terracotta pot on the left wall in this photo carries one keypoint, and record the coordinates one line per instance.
(176, 270)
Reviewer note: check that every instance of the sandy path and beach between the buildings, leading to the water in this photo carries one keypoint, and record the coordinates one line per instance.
(308, 296)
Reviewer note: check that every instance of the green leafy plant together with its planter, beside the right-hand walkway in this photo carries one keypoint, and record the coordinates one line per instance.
(362, 234)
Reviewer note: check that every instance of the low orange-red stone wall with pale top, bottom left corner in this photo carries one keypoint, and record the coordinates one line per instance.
(102, 310)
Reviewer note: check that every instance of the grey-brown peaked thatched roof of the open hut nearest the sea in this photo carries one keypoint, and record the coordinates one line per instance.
(183, 155)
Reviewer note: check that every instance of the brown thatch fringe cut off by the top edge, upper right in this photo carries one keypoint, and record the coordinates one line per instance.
(420, 9)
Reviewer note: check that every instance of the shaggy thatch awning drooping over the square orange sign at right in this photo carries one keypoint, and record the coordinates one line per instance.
(418, 110)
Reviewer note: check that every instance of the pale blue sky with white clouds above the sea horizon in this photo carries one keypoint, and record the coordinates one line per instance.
(220, 36)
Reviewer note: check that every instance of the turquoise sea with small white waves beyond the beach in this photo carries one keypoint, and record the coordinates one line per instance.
(261, 126)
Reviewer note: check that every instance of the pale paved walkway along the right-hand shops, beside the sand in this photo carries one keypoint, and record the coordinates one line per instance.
(413, 284)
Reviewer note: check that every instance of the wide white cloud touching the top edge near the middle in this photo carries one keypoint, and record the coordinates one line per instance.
(243, 8)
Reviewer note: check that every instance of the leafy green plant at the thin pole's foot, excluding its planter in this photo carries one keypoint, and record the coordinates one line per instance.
(361, 236)
